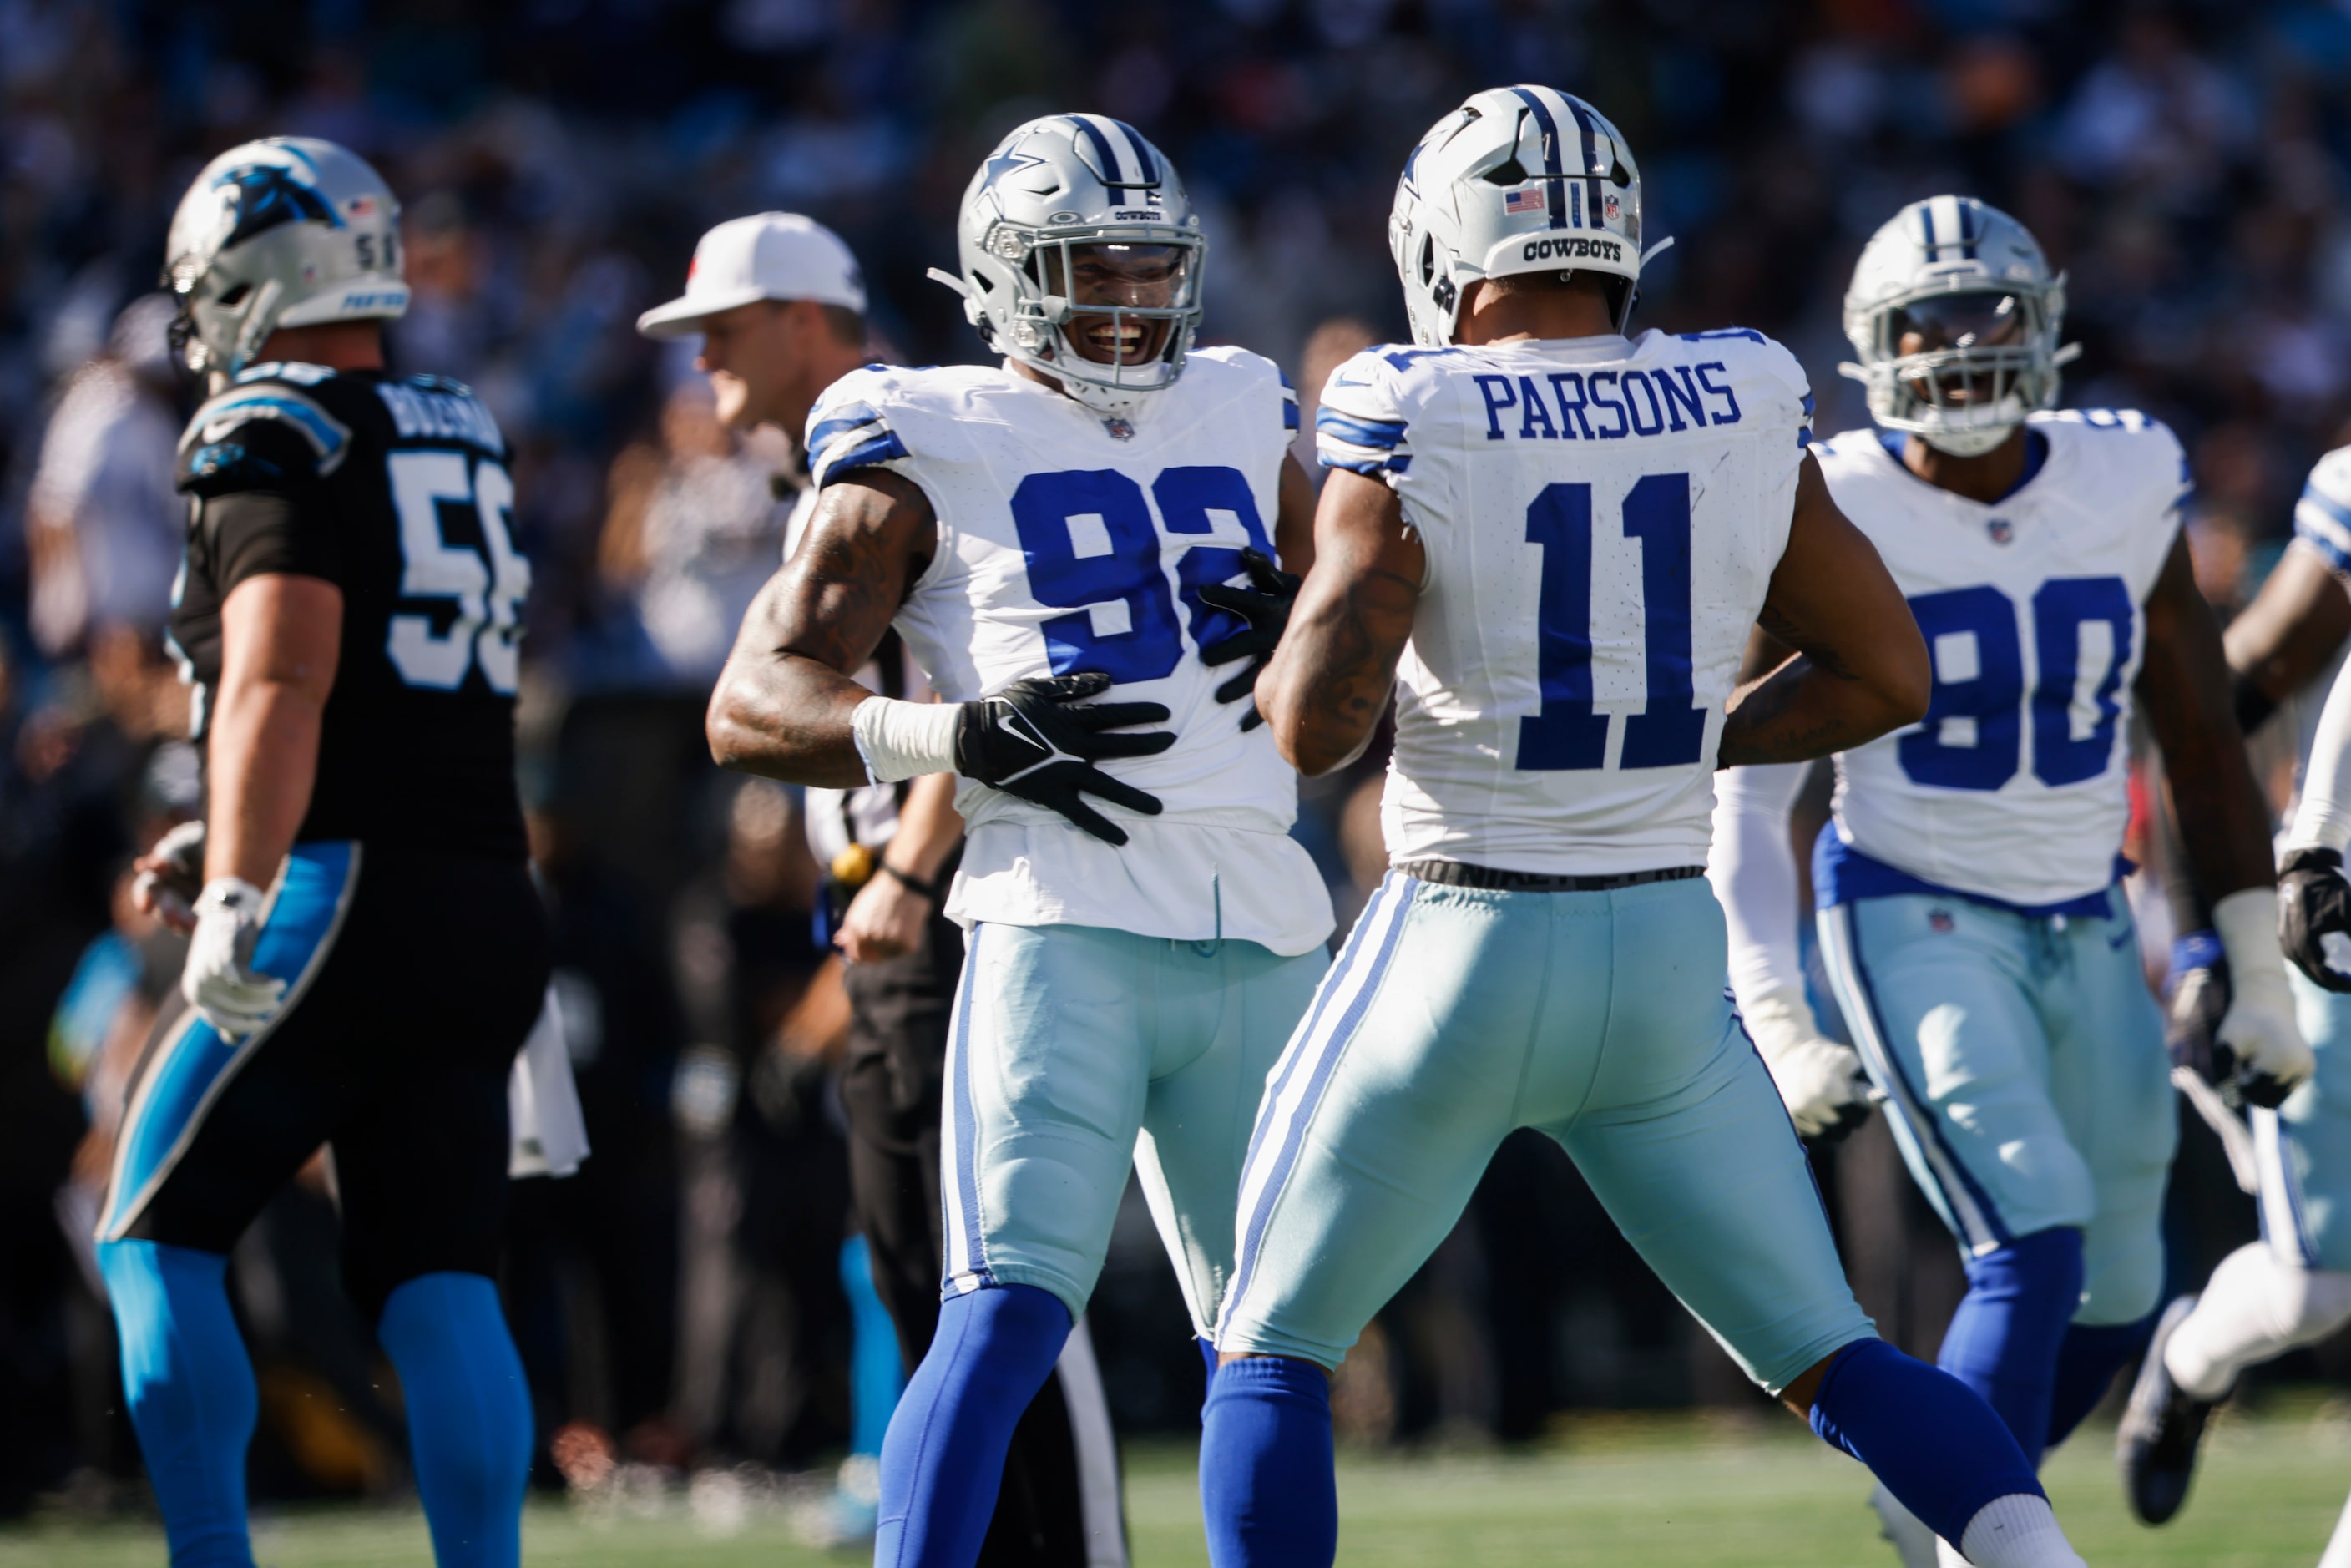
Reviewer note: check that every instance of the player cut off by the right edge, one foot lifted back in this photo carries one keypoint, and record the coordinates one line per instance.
(2293, 1287)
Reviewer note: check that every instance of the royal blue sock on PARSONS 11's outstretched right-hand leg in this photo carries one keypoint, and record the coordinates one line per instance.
(1924, 1433)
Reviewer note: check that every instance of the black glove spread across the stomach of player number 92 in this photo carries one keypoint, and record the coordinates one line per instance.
(1040, 742)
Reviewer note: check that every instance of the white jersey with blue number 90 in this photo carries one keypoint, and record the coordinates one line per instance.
(2032, 608)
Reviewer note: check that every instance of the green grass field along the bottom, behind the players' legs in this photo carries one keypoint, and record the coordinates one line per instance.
(1652, 1492)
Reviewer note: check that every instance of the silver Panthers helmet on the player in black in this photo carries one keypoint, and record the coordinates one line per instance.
(288, 232)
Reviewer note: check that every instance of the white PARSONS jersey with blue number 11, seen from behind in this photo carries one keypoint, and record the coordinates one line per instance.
(1602, 521)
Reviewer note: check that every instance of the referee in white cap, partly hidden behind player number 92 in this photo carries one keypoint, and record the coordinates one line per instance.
(782, 311)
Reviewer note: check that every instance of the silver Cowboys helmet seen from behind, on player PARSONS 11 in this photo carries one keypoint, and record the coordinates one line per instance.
(1518, 180)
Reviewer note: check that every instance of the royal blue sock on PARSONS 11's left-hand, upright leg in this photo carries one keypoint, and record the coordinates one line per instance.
(1266, 1480)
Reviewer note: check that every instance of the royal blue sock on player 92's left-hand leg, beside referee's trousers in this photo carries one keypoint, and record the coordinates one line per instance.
(944, 1456)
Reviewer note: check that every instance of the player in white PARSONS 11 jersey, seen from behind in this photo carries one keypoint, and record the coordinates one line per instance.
(1541, 521)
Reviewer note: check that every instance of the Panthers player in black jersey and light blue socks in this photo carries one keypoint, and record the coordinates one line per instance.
(368, 949)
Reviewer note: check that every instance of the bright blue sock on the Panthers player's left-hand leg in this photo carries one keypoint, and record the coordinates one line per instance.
(192, 1393)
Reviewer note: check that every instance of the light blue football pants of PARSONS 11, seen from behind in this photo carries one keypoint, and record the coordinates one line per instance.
(1456, 1017)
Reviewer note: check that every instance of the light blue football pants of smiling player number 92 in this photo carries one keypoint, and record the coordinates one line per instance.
(1080, 1052)
